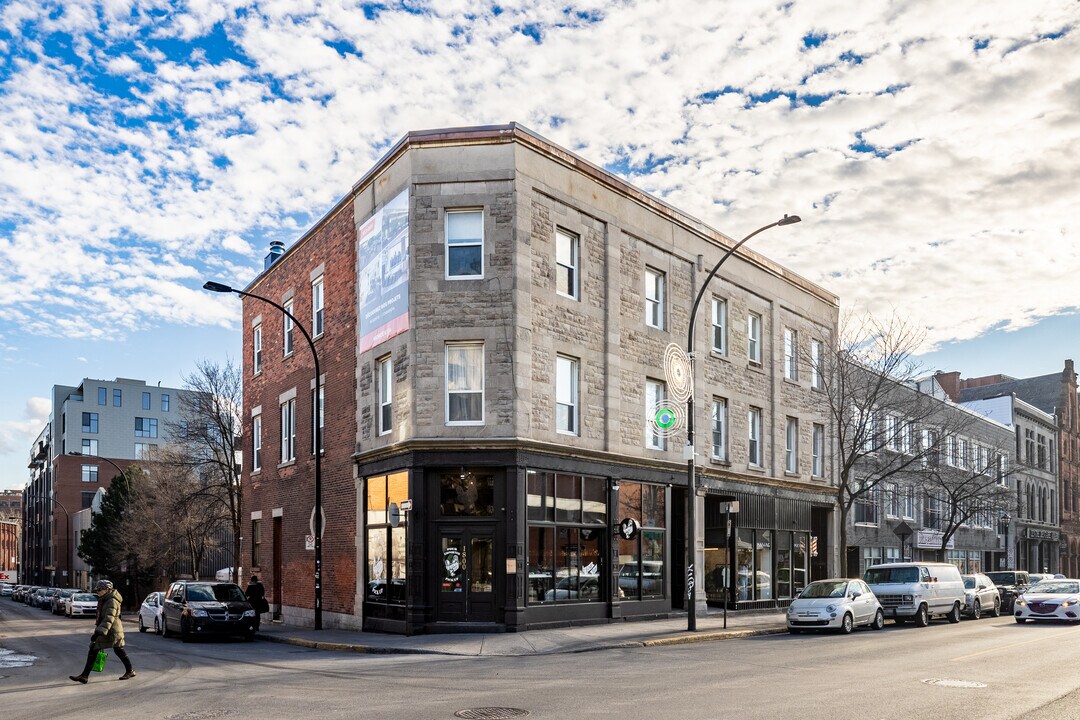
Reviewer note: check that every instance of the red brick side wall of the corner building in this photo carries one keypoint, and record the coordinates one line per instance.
(292, 488)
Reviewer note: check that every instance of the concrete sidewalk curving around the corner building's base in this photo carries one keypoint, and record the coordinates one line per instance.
(636, 634)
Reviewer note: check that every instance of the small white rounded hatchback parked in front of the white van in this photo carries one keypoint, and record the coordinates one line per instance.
(841, 604)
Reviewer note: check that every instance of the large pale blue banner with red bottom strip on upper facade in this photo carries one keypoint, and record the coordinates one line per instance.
(383, 268)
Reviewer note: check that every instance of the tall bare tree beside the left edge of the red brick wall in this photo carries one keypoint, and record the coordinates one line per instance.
(207, 439)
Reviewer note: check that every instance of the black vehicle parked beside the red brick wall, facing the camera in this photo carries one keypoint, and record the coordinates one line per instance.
(196, 609)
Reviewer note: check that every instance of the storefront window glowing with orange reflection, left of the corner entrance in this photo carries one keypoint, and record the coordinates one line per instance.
(386, 546)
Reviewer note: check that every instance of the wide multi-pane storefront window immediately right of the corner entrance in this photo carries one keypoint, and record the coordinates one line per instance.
(568, 517)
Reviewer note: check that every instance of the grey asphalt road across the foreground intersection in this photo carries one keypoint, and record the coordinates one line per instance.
(985, 670)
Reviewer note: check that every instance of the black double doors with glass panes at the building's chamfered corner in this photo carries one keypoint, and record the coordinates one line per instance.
(467, 575)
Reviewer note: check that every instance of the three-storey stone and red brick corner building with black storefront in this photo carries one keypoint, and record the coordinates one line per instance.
(491, 315)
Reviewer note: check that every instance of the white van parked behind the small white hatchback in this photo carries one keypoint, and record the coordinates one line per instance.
(917, 591)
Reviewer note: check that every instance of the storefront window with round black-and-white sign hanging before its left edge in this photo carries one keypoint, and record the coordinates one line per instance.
(642, 569)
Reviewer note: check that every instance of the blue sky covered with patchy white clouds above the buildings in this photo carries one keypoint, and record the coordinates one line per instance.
(147, 146)
